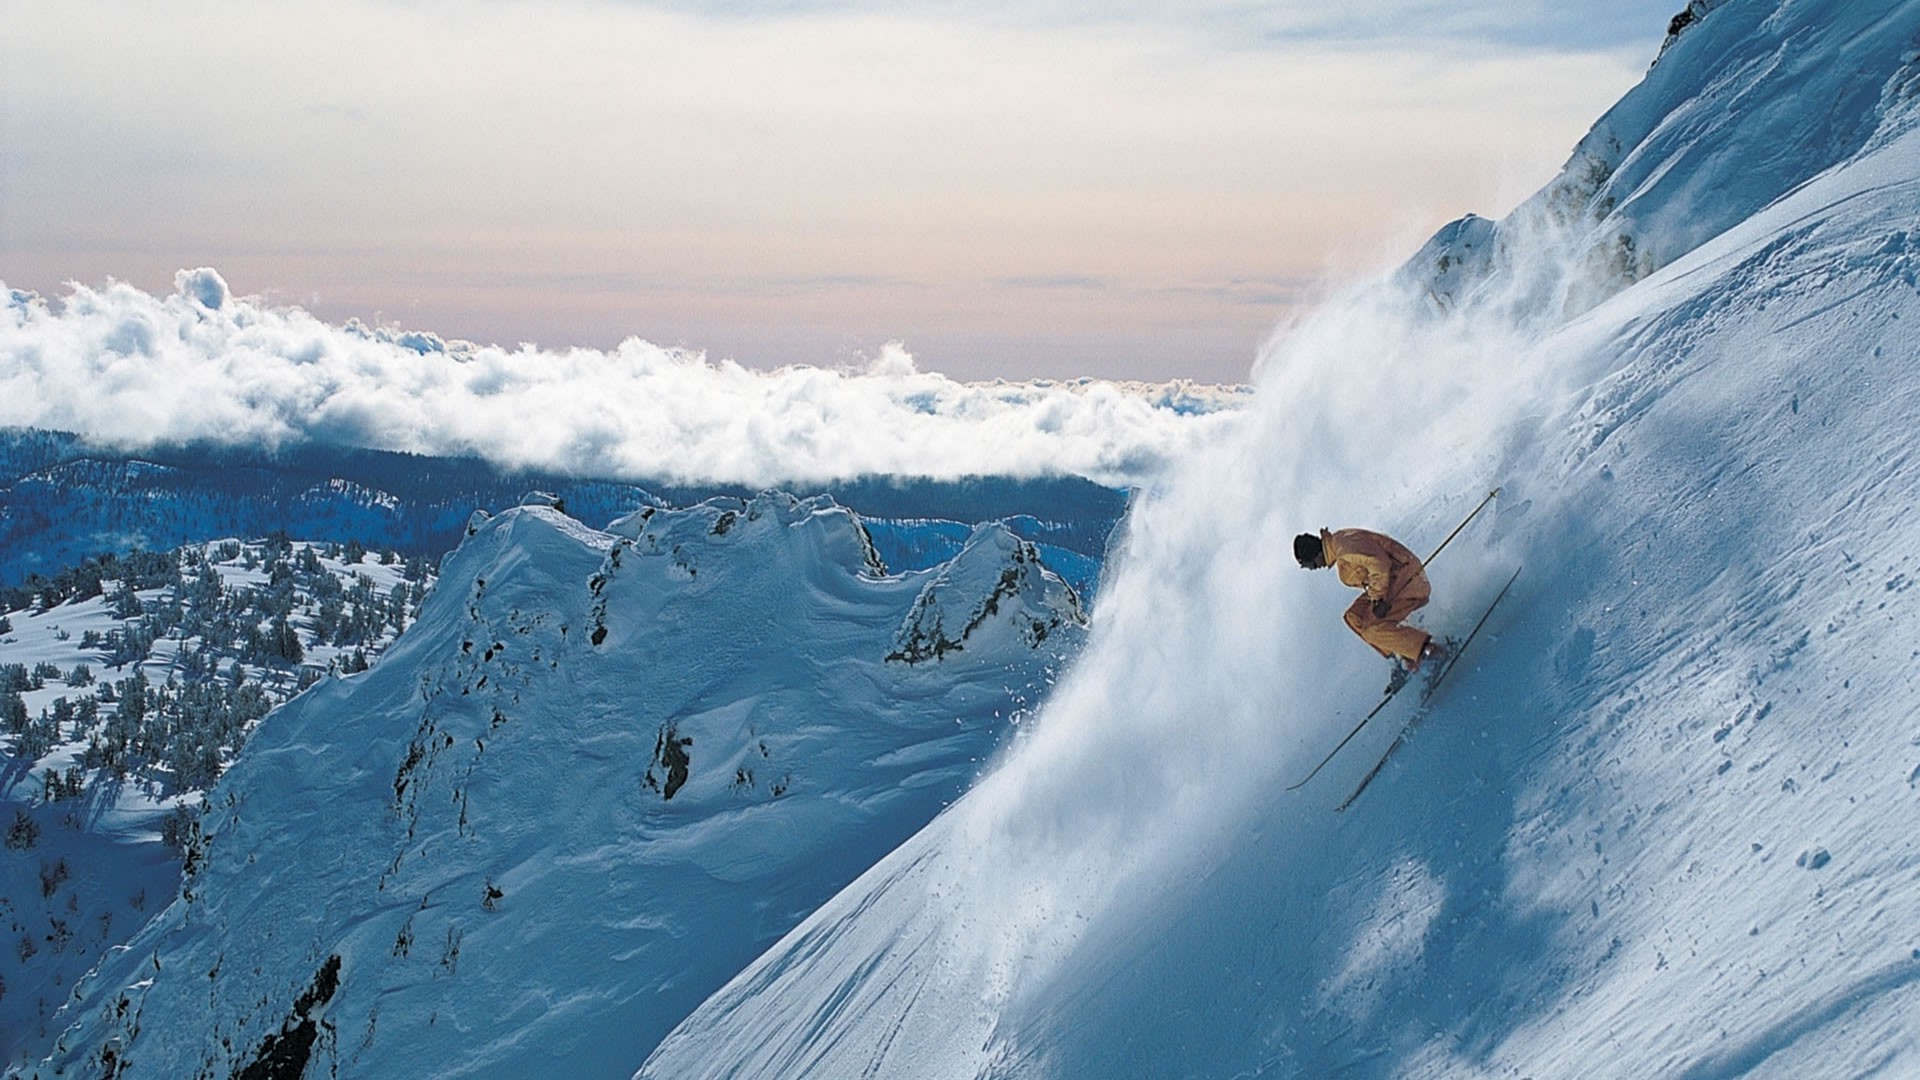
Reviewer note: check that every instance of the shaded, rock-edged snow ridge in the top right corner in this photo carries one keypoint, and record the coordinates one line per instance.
(1746, 103)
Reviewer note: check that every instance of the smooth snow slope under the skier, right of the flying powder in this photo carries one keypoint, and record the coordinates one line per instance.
(1664, 827)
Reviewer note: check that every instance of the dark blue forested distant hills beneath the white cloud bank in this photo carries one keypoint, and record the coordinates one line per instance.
(64, 499)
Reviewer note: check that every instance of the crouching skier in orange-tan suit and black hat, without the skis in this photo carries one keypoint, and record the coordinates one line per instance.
(1391, 581)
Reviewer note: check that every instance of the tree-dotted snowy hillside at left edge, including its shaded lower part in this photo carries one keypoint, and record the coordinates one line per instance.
(126, 689)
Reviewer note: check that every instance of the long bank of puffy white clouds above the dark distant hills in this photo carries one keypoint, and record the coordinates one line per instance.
(130, 368)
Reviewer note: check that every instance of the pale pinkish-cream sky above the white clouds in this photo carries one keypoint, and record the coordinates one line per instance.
(1044, 189)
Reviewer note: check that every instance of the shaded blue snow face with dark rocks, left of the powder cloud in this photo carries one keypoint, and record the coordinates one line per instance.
(596, 777)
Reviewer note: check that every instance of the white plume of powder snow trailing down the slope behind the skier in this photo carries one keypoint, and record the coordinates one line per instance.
(1214, 675)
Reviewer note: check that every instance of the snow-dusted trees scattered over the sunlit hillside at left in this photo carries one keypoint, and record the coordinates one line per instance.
(208, 641)
